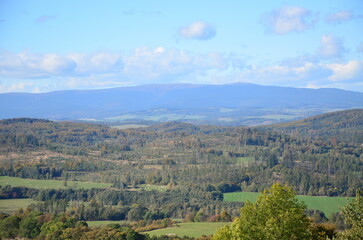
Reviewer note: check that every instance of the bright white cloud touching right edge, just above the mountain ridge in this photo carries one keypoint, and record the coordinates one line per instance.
(351, 71)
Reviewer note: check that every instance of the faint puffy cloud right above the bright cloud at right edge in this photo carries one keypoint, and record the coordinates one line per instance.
(331, 47)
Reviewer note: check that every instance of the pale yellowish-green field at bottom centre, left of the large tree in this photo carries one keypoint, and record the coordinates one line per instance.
(190, 229)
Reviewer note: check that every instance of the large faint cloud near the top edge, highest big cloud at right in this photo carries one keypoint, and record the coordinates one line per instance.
(288, 19)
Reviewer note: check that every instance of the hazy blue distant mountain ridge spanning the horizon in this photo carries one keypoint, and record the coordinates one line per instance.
(106, 103)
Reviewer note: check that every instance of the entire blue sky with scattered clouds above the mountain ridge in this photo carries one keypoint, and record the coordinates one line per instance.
(49, 45)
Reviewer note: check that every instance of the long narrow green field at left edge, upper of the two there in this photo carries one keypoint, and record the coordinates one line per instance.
(49, 184)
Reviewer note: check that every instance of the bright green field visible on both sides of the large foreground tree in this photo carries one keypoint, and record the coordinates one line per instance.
(328, 205)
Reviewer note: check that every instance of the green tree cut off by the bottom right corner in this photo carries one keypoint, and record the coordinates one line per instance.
(353, 215)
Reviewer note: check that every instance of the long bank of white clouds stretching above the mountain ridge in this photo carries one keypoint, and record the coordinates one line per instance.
(44, 72)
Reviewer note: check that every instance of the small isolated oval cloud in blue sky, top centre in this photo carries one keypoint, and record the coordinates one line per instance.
(198, 31)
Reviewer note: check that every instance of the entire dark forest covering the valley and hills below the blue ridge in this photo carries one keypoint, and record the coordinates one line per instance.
(188, 167)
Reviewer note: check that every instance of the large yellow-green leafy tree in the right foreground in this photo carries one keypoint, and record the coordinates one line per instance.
(276, 215)
